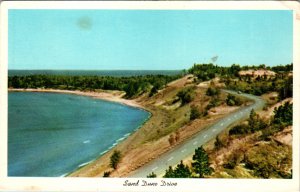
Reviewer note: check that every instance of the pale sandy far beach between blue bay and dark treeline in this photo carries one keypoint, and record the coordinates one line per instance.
(114, 96)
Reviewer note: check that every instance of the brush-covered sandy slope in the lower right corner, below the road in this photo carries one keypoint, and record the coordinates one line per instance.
(263, 153)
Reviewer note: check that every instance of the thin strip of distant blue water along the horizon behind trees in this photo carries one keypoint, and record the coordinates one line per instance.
(115, 73)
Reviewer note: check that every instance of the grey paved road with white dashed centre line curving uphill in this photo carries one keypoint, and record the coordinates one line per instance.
(174, 156)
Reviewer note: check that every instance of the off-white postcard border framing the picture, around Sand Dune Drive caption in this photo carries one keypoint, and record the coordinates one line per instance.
(116, 184)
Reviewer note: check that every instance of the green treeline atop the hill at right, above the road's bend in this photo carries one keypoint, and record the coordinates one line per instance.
(281, 82)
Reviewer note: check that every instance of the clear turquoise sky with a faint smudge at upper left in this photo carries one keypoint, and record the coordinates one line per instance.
(147, 39)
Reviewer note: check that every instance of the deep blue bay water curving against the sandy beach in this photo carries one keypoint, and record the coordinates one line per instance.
(52, 134)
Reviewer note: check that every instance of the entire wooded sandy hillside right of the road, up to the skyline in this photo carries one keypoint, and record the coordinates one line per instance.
(260, 146)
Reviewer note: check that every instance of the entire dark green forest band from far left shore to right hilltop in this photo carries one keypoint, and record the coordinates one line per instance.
(281, 82)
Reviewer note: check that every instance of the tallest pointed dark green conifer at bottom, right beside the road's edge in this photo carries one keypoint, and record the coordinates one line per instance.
(200, 164)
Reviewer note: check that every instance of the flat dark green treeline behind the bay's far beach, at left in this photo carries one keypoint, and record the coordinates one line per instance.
(133, 86)
